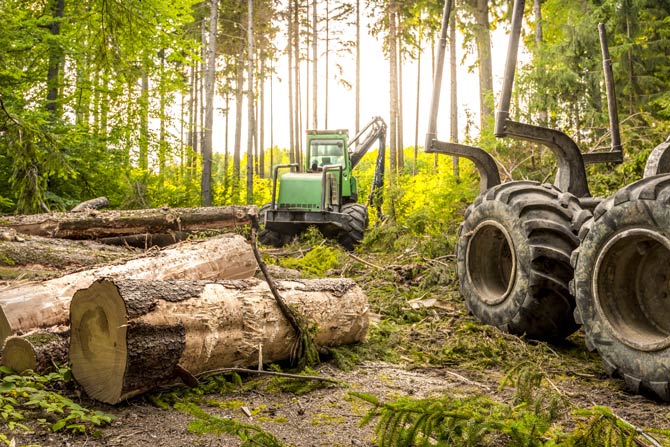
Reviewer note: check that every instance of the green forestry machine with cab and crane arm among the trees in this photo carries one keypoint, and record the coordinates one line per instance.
(326, 194)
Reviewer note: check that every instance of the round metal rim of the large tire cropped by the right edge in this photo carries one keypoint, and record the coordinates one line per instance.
(632, 290)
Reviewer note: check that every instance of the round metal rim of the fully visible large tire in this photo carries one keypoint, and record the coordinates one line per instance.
(491, 262)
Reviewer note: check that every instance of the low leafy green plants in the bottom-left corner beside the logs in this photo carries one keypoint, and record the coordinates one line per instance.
(32, 397)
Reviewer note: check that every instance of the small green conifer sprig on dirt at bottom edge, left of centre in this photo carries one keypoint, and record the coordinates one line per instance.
(249, 434)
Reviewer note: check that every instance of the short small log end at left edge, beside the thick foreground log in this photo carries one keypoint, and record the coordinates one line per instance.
(40, 351)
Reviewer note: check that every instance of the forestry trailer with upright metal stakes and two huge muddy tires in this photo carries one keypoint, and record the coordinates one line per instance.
(540, 260)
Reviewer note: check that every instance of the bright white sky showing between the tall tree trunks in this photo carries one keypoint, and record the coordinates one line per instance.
(374, 94)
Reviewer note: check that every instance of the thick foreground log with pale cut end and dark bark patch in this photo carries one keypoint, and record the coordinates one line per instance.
(129, 336)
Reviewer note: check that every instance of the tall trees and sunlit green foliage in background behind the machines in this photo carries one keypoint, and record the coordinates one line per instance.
(117, 98)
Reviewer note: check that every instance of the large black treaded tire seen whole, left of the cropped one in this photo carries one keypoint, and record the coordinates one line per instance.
(513, 258)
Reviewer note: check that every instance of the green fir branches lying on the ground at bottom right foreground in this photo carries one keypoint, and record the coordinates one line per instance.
(536, 416)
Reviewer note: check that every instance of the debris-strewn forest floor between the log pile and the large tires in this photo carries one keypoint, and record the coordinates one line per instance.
(422, 345)
